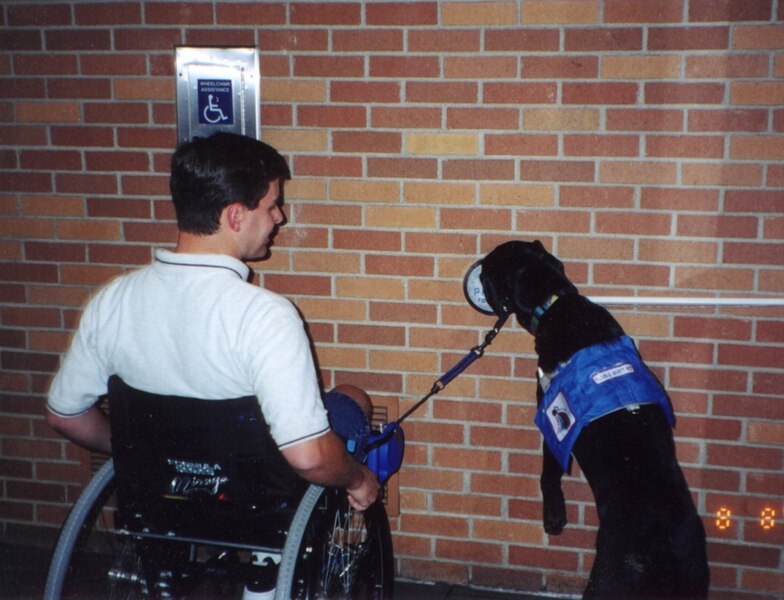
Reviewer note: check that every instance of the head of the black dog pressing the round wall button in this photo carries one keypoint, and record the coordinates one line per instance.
(520, 276)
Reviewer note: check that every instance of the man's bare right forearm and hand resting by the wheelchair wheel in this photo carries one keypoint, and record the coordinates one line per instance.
(325, 461)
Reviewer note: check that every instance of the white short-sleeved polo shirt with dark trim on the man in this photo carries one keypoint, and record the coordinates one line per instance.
(191, 325)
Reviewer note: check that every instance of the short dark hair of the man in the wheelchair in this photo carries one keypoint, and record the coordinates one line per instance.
(208, 174)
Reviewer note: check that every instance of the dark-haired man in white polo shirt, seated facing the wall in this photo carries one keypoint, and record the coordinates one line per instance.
(191, 325)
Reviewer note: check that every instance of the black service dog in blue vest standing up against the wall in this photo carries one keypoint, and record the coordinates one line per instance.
(651, 541)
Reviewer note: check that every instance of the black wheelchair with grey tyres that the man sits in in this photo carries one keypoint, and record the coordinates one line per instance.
(198, 502)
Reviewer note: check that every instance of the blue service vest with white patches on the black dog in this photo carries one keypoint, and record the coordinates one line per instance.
(596, 381)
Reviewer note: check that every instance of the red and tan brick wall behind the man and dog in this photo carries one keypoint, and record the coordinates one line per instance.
(641, 140)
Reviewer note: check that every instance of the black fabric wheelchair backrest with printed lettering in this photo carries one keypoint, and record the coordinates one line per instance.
(180, 462)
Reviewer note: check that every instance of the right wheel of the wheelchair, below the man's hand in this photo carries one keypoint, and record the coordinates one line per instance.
(333, 551)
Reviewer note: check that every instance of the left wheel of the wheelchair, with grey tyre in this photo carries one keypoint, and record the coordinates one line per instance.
(90, 560)
